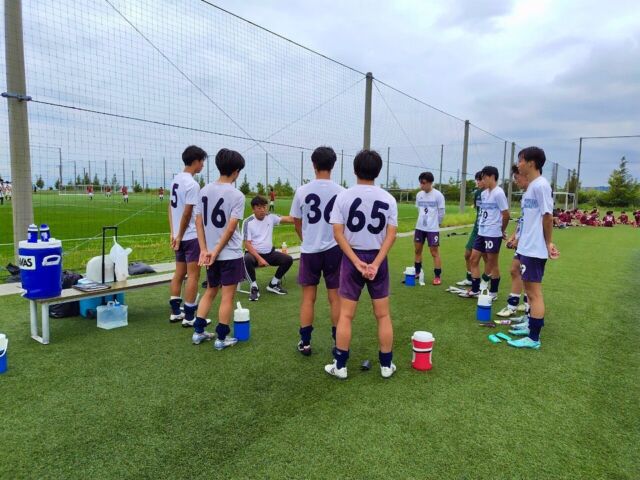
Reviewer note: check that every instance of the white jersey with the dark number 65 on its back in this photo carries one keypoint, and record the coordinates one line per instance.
(365, 211)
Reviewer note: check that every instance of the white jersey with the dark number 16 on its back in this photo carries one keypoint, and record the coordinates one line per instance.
(218, 204)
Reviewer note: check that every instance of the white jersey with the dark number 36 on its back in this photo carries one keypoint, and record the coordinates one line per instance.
(313, 203)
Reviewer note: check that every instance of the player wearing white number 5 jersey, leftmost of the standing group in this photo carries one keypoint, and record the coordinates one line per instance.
(184, 239)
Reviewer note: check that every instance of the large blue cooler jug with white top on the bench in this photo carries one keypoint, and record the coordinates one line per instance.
(41, 268)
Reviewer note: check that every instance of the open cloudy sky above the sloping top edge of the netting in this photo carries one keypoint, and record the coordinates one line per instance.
(533, 71)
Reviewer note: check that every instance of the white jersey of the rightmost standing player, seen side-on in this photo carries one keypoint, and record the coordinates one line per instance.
(536, 202)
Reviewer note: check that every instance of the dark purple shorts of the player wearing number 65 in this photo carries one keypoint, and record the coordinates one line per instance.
(352, 282)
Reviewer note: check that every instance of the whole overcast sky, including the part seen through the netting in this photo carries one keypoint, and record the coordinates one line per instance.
(122, 86)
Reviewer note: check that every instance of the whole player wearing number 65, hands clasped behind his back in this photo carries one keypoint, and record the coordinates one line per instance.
(365, 222)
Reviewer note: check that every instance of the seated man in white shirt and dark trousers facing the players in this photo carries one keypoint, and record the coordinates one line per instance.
(257, 233)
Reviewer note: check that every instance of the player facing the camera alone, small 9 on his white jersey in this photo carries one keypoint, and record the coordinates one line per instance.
(430, 204)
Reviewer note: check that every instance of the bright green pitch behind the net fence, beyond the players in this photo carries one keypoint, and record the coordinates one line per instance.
(143, 225)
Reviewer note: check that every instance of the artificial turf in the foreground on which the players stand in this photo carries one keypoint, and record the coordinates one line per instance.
(142, 402)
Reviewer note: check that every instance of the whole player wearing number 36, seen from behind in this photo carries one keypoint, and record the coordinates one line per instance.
(320, 254)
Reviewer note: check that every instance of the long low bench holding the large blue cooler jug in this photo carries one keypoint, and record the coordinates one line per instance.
(73, 295)
